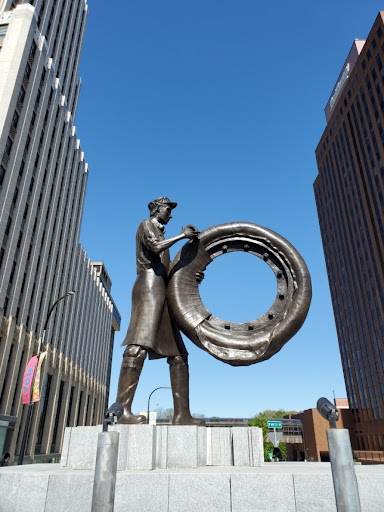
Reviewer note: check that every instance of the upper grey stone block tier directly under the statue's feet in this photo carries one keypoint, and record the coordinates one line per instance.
(148, 447)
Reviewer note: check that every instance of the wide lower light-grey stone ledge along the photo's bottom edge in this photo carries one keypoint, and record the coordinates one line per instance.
(281, 486)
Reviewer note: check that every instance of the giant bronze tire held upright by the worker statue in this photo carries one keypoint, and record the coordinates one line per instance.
(240, 344)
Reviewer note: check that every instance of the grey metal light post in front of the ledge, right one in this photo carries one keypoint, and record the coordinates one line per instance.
(343, 471)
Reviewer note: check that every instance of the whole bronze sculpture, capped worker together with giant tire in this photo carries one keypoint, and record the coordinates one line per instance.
(153, 331)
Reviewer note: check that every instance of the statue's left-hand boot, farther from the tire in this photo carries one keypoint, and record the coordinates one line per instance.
(129, 377)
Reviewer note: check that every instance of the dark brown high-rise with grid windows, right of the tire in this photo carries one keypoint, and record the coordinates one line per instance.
(349, 193)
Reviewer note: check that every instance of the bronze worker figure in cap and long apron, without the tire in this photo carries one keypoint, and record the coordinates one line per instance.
(151, 329)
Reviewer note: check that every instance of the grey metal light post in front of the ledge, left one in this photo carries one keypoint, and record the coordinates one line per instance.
(104, 484)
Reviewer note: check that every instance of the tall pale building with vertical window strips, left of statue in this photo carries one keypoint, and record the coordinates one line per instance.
(43, 176)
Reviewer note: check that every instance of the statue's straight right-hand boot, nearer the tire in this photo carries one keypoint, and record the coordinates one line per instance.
(180, 389)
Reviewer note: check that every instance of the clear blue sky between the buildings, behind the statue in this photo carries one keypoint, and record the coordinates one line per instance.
(218, 105)
